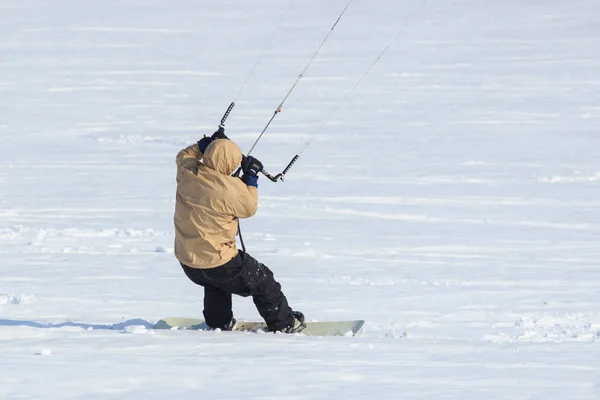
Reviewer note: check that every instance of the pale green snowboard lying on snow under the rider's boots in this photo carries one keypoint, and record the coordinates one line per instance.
(329, 328)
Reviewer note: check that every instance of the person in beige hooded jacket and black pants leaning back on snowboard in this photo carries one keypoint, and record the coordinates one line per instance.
(209, 202)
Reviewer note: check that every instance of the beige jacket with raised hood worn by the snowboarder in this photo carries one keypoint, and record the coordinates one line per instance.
(208, 204)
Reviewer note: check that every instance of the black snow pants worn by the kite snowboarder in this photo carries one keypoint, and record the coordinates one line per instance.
(243, 276)
